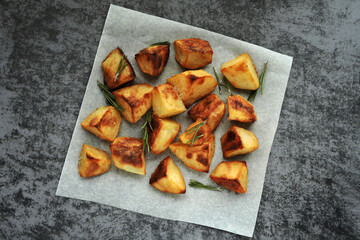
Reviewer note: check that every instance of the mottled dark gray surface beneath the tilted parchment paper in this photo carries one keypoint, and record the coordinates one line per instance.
(312, 181)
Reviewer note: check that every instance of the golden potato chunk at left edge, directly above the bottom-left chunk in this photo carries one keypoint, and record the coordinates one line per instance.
(104, 123)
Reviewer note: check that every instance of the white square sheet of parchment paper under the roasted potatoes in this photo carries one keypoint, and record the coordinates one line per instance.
(226, 210)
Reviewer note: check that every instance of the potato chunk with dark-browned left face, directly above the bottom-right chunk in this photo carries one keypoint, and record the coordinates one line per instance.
(238, 141)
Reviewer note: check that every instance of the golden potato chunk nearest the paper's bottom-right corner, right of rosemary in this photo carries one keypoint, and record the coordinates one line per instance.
(232, 175)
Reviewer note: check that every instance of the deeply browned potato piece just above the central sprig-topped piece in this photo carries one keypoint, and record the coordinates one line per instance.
(211, 109)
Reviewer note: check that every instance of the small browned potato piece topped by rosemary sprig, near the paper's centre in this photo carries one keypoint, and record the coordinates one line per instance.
(189, 133)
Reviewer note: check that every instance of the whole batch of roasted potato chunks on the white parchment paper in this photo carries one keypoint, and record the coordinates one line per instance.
(169, 99)
